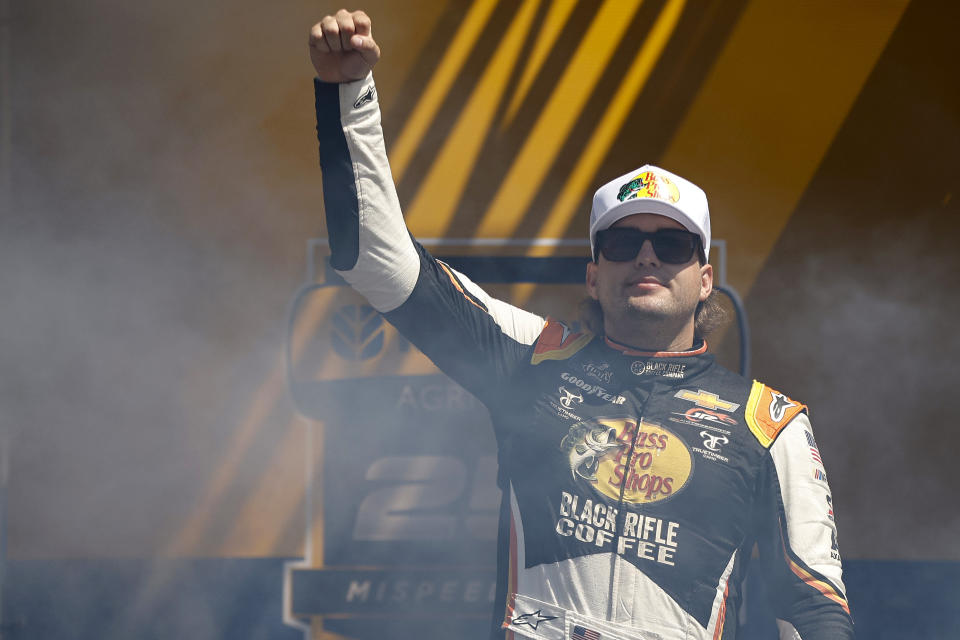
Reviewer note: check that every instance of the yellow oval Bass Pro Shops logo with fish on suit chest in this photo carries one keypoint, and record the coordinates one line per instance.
(645, 462)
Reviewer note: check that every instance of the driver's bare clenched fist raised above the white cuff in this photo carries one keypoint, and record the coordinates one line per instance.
(342, 48)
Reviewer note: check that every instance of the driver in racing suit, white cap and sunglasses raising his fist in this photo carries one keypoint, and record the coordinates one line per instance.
(637, 474)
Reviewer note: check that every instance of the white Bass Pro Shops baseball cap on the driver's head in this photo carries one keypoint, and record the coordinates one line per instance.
(651, 189)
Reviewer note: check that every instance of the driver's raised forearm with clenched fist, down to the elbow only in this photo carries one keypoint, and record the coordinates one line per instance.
(369, 243)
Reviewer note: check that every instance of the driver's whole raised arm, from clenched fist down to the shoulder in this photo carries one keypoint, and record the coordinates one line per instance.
(468, 334)
